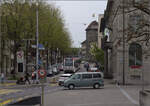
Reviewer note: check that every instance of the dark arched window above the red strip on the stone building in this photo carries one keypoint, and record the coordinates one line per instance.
(135, 55)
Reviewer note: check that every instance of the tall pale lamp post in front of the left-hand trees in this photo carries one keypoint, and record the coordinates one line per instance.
(37, 40)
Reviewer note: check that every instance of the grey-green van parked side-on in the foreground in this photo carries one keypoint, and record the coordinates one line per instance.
(85, 79)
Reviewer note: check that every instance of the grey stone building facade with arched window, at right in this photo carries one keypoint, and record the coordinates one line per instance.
(133, 65)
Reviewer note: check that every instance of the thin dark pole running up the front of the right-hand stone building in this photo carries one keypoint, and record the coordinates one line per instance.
(123, 10)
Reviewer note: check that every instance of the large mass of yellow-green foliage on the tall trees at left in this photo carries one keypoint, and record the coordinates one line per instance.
(19, 22)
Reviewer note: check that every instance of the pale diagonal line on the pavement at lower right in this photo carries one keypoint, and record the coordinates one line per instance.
(128, 96)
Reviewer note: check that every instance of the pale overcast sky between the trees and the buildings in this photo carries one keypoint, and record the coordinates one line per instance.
(78, 14)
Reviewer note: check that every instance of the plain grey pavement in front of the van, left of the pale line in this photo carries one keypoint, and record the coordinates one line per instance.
(110, 95)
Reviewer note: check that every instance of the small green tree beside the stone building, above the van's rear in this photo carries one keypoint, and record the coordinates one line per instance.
(98, 54)
